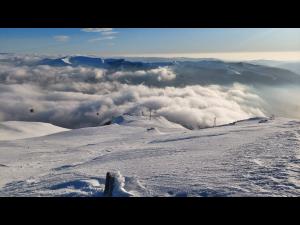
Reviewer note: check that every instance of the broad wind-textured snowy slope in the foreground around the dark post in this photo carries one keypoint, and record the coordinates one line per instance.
(245, 159)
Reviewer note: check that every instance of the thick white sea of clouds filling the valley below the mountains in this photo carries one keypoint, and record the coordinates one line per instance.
(80, 96)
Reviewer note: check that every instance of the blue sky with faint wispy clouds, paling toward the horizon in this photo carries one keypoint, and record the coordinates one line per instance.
(146, 41)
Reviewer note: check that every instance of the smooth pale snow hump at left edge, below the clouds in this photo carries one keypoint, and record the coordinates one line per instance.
(13, 130)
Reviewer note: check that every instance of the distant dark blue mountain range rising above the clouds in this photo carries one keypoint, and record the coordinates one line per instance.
(208, 70)
